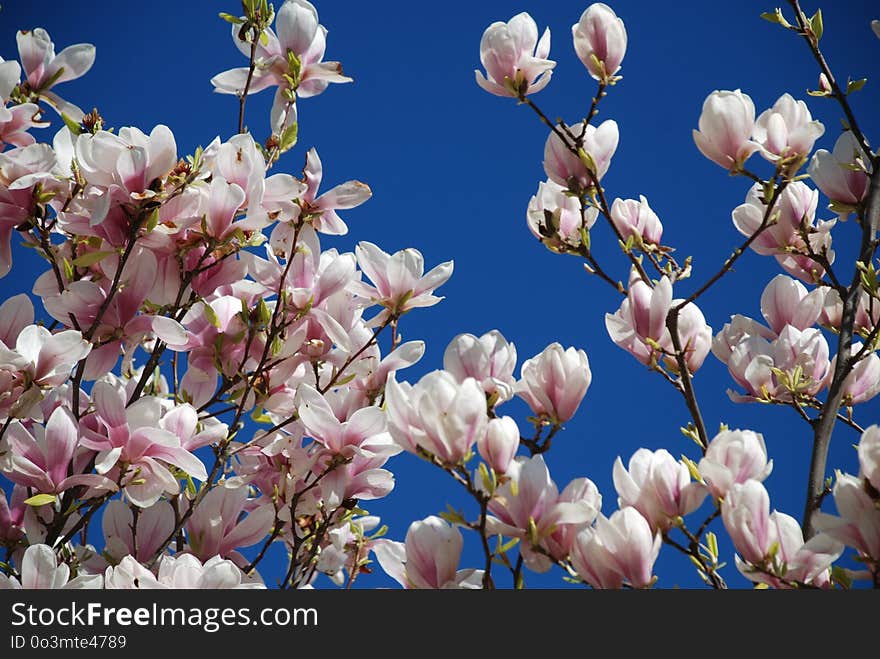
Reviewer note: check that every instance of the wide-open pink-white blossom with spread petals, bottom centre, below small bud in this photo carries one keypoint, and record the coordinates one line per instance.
(529, 506)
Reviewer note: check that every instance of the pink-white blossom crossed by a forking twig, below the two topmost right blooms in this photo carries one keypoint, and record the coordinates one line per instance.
(567, 169)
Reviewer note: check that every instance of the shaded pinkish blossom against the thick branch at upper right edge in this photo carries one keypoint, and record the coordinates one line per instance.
(834, 172)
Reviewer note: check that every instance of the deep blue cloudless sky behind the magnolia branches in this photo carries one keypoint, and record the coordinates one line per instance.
(452, 169)
